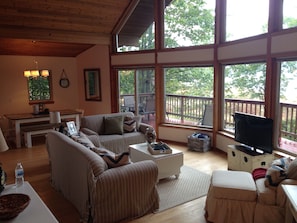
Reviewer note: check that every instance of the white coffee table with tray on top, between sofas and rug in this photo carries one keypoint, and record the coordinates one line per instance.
(168, 164)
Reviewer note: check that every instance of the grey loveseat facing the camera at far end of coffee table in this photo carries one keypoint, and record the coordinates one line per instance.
(114, 131)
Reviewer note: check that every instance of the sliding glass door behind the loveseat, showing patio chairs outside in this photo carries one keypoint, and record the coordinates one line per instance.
(137, 92)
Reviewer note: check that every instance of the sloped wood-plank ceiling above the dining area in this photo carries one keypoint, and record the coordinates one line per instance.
(57, 27)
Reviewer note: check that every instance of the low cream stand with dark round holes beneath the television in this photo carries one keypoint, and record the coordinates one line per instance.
(245, 158)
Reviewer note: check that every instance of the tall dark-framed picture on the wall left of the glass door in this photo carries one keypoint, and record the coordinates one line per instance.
(92, 84)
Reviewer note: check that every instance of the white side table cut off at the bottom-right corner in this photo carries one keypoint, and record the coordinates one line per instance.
(291, 206)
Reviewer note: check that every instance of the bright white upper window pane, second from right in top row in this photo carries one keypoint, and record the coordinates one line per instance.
(246, 18)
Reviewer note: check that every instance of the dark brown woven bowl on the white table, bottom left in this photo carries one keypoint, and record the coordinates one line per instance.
(12, 204)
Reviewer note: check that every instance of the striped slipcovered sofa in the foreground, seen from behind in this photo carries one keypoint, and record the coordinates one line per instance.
(98, 192)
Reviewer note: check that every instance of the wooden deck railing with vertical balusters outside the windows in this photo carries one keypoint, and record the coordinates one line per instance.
(190, 110)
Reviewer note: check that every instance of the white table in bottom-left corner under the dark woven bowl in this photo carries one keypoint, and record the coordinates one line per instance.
(36, 211)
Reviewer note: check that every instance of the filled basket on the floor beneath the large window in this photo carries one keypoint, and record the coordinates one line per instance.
(199, 144)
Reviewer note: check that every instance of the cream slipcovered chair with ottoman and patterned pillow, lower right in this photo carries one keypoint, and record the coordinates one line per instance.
(257, 197)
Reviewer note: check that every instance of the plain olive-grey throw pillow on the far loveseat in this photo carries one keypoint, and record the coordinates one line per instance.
(113, 125)
